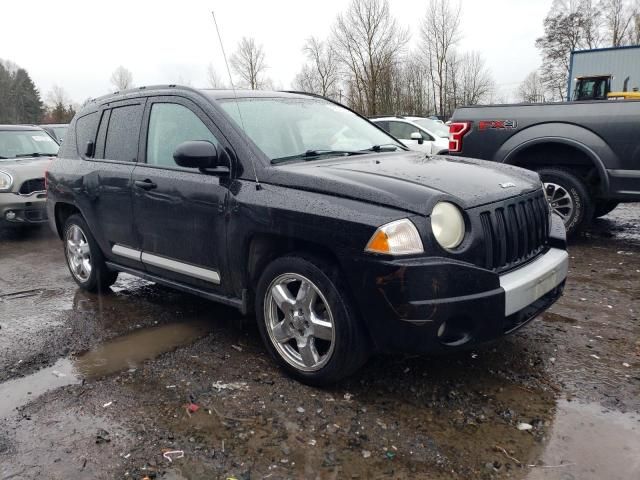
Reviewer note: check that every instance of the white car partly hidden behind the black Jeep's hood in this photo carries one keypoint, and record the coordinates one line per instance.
(417, 133)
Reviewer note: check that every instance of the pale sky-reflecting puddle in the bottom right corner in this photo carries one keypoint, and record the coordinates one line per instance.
(588, 442)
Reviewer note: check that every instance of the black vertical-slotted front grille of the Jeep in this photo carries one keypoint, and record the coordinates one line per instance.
(515, 231)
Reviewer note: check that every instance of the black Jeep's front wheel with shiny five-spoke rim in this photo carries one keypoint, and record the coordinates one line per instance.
(307, 322)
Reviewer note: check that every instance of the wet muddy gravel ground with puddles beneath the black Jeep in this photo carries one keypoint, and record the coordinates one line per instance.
(99, 387)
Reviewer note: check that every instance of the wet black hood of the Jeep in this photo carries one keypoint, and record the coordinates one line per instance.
(410, 181)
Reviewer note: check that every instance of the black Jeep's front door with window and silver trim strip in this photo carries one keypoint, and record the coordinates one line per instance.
(179, 212)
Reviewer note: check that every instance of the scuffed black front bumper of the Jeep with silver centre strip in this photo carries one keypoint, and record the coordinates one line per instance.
(439, 304)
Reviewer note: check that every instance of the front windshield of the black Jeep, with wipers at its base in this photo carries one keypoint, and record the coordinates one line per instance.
(290, 127)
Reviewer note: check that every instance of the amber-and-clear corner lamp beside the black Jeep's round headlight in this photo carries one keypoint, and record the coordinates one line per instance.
(396, 238)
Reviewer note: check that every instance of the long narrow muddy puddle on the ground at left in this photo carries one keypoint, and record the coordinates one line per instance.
(121, 353)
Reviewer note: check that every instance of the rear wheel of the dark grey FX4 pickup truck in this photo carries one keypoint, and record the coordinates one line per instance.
(568, 197)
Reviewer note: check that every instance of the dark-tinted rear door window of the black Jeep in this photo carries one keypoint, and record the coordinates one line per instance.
(123, 133)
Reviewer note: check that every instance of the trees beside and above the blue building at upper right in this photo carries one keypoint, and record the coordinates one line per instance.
(577, 25)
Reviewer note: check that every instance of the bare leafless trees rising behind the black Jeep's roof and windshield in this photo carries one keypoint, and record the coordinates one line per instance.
(367, 63)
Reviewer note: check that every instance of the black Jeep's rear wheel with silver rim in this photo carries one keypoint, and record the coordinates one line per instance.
(84, 257)
